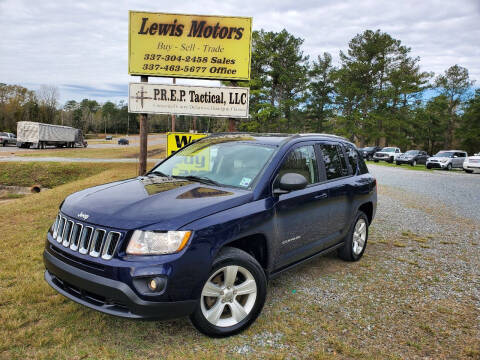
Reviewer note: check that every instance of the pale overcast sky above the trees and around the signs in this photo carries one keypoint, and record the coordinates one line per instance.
(81, 46)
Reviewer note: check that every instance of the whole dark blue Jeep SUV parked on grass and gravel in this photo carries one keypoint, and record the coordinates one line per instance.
(204, 230)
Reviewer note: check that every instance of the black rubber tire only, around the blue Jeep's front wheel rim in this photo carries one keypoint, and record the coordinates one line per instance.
(227, 257)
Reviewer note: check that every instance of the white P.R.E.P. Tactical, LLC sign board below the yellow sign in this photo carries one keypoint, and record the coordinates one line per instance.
(188, 100)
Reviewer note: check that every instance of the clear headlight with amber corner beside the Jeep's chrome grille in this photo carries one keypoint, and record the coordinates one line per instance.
(157, 243)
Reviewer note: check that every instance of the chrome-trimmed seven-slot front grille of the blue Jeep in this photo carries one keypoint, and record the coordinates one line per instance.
(85, 239)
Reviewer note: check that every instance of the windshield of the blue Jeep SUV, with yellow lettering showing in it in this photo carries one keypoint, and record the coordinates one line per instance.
(226, 160)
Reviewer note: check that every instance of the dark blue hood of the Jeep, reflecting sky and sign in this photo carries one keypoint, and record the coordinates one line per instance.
(152, 200)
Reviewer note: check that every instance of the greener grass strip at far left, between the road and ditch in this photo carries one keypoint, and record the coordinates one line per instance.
(48, 174)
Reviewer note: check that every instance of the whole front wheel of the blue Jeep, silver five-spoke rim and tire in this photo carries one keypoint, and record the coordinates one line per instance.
(233, 296)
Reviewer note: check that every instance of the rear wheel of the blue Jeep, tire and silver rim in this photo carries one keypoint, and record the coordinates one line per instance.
(356, 240)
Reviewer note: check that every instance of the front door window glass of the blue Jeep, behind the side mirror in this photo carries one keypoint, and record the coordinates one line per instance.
(302, 161)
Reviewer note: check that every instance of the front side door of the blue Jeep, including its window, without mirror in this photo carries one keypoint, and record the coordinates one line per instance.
(301, 217)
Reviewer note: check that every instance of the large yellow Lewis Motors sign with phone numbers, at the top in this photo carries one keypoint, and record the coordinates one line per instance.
(191, 46)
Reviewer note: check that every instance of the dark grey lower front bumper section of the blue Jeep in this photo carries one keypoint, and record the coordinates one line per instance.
(106, 295)
